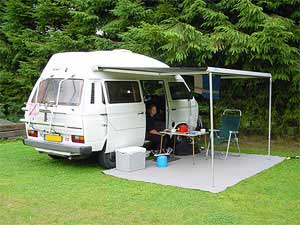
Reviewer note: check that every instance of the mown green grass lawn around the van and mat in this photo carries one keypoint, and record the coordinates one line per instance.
(35, 189)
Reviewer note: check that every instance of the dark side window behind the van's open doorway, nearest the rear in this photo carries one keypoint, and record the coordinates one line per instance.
(123, 91)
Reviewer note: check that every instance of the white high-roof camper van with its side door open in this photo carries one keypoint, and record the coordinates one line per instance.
(76, 108)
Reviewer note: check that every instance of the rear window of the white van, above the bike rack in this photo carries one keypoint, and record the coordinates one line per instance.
(70, 91)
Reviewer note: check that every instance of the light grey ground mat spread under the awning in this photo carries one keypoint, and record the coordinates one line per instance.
(182, 173)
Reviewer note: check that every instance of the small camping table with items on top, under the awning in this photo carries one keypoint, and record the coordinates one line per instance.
(191, 134)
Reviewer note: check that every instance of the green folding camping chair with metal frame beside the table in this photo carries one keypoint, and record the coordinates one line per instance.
(229, 129)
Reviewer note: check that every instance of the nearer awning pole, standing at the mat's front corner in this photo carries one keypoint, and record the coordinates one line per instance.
(211, 129)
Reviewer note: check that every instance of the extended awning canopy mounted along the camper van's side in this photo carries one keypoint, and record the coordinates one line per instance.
(224, 73)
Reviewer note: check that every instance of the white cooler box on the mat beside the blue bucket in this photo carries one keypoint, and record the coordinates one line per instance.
(130, 158)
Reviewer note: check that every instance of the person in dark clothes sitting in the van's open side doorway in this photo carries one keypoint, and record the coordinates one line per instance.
(152, 131)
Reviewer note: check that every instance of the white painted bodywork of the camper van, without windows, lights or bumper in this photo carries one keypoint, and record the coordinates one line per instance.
(117, 125)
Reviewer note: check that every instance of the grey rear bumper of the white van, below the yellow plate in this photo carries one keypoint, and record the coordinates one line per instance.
(63, 149)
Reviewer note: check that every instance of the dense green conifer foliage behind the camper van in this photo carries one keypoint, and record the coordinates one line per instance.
(260, 35)
